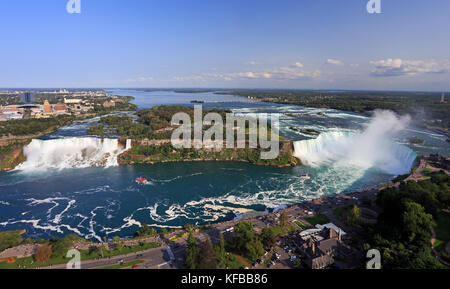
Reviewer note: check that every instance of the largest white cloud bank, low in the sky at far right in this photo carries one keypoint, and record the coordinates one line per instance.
(399, 67)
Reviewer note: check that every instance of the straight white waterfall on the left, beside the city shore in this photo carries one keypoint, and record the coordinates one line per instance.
(71, 153)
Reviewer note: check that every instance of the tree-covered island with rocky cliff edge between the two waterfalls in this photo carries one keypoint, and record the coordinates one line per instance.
(151, 135)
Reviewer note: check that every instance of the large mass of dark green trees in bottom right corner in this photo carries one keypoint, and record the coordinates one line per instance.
(404, 229)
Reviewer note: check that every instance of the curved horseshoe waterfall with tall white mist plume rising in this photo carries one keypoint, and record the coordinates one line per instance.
(373, 147)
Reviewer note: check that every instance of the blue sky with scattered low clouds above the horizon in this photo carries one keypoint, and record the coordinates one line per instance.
(306, 44)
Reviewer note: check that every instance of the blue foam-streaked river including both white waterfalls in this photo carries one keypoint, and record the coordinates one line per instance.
(72, 183)
